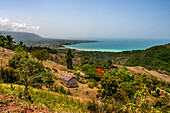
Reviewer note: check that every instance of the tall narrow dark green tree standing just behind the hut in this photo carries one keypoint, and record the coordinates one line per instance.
(69, 57)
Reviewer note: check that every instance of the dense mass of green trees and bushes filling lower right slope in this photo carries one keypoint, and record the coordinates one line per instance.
(121, 90)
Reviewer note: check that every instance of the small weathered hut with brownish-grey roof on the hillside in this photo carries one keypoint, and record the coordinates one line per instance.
(69, 80)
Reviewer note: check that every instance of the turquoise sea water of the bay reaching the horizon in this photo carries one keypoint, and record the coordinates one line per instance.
(118, 45)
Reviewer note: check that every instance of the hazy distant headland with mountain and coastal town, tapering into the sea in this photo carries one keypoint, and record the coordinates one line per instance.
(31, 39)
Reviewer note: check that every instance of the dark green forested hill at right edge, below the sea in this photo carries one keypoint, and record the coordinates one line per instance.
(154, 58)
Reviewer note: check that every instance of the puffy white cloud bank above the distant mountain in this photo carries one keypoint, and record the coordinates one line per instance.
(9, 25)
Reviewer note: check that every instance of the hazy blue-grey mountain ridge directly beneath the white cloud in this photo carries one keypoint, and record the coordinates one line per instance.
(22, 36)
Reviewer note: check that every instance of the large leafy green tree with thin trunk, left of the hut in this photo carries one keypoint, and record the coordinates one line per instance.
(31, 71)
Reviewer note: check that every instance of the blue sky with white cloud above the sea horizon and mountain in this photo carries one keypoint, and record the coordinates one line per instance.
(87, 19)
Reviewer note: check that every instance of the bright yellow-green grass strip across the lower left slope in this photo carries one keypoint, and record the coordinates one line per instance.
(50, 100)
